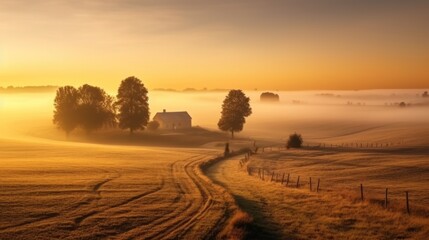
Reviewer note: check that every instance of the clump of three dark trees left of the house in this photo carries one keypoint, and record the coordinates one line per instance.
(91, 108)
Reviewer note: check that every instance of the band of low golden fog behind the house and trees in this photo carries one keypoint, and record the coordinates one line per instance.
(315, 114)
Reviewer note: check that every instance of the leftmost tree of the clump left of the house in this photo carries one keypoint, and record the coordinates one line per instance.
(66, 105)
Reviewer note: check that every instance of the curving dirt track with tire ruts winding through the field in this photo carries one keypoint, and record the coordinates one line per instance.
(200, 198)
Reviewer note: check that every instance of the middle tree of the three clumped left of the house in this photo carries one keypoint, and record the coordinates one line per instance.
(95, 109)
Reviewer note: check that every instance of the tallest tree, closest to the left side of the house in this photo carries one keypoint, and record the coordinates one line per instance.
(133, 105)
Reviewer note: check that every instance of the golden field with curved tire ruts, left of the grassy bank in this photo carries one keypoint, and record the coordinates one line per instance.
(87, 192)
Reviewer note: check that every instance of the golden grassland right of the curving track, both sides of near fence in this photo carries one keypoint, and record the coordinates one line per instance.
(336, 212)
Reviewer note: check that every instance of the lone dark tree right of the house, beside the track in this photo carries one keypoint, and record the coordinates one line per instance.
(235, 109)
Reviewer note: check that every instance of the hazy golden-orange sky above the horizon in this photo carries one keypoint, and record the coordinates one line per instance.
(247, 44)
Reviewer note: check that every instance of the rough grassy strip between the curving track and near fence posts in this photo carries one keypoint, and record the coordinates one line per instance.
(287, 213)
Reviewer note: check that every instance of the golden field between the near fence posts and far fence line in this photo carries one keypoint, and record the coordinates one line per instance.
(344, 171)
